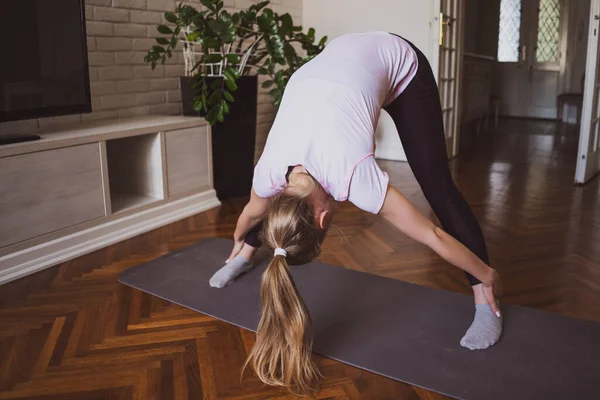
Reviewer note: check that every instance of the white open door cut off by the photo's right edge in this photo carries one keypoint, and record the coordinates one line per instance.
(588, 160)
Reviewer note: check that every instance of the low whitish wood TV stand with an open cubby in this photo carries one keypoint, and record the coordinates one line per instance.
(86, 186)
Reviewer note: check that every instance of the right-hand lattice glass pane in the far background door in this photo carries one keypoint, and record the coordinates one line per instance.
(548, 31)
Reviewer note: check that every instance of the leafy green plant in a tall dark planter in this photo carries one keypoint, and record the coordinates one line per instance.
(223, 54)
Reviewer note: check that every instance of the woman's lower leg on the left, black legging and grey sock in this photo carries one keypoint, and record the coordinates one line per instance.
(240, 263)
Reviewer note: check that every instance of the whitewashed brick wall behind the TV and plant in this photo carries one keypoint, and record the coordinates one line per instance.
(120, 32)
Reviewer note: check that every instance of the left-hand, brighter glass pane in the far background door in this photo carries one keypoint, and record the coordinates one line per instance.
(509, 35)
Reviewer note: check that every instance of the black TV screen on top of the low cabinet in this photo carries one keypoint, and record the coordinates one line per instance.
(44, 69)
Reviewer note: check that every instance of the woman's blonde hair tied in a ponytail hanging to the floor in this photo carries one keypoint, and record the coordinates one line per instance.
(282, 354)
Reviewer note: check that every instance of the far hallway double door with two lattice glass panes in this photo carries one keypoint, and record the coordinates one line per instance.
(531, 56)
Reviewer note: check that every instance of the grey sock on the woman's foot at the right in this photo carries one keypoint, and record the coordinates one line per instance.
(485, 330)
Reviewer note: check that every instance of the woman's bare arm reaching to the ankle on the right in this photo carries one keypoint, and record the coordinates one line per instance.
(404, 216)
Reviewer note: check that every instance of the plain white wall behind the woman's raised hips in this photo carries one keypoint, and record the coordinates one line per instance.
(408, 18)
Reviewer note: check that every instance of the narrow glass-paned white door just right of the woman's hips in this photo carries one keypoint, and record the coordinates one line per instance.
(450, 63)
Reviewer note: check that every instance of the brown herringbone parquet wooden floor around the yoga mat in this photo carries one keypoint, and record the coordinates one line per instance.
(74, 332)
